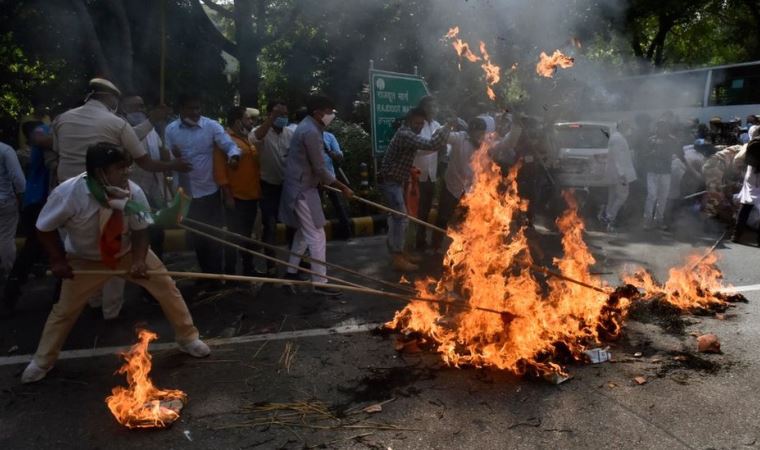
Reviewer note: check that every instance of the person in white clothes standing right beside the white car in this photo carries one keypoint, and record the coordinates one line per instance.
(620, 173)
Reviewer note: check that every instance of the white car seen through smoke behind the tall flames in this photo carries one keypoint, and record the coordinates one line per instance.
(579, 153)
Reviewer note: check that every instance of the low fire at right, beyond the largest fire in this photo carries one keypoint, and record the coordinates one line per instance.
(696, 285)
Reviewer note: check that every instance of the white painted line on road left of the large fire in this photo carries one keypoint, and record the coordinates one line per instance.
(216, 342)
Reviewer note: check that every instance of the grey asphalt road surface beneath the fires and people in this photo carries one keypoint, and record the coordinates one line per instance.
(338, 368)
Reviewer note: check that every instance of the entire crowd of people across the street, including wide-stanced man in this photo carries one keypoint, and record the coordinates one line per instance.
(93, 176)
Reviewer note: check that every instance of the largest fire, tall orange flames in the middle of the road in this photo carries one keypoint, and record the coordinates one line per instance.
(489, 265)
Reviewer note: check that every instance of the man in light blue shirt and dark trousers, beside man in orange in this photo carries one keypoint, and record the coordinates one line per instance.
(193, 137)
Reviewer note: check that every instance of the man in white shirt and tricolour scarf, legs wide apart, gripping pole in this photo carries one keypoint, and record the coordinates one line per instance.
(103, 222)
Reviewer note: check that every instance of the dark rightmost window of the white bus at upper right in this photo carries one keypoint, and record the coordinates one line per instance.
(735, 86)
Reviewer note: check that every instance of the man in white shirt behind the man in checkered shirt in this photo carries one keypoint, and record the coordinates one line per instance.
(425, 172)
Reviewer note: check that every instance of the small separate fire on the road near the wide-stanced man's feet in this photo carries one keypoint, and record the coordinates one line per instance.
(142, 405)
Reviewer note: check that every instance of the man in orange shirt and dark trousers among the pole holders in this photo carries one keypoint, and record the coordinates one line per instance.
(241, 187)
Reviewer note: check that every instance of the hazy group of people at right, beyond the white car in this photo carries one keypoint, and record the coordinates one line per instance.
(680, 166)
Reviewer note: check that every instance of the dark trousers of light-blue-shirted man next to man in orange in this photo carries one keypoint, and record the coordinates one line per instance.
(210, 254)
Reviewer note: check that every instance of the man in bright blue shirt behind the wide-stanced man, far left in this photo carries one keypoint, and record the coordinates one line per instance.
(37, 185)
